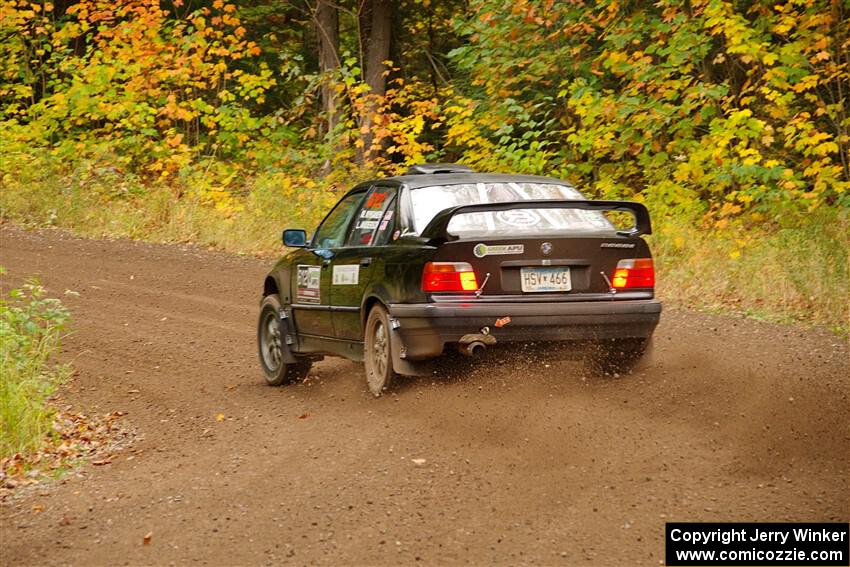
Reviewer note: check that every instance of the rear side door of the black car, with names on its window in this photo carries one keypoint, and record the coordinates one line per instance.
(353, 265)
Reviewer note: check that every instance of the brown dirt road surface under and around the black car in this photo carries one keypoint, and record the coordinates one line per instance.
(526, 462)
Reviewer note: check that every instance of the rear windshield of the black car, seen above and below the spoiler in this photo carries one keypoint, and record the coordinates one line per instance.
(428, 201)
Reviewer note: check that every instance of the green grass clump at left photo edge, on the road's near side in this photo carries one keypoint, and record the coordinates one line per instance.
(31, 329)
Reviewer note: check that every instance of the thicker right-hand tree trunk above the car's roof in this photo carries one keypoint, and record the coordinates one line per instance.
(377, 52)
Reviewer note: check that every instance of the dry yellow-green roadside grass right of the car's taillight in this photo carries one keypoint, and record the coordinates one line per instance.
(799, 274)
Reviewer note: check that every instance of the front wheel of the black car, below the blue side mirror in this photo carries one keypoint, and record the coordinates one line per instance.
(271, 344)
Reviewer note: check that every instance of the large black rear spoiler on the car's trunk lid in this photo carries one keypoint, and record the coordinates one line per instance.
(437, 228)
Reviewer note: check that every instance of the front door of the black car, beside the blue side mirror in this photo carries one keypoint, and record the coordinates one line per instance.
(311, 270)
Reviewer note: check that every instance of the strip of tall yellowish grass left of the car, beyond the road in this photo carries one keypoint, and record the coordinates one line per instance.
(105, 203)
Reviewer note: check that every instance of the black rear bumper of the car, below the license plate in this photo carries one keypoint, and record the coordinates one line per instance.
(424, 329)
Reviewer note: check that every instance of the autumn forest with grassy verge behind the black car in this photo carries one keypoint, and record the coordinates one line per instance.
(220, 123)
